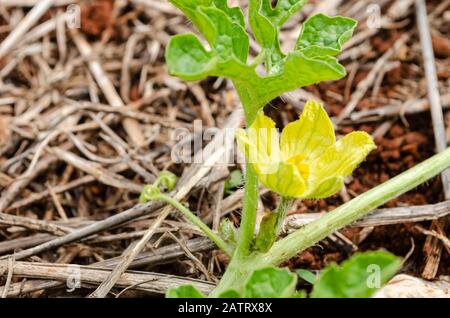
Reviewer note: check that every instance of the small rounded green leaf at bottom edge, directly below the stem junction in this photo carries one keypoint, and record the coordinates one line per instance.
(270, 282)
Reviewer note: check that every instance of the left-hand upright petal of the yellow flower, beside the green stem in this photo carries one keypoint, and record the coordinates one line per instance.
(261, 144)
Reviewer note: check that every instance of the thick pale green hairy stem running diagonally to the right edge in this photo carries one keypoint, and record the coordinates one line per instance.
(351, 211)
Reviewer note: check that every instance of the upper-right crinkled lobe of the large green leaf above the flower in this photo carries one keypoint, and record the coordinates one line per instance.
(322, 35)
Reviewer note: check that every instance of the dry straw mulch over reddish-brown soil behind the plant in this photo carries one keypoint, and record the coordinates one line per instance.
(74, 151)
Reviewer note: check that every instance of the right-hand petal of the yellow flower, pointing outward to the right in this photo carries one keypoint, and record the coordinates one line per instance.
(340, 159)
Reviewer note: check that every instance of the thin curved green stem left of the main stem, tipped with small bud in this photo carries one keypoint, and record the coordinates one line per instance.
(196, 221)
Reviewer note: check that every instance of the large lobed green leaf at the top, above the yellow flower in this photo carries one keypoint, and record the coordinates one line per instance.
(223, 28)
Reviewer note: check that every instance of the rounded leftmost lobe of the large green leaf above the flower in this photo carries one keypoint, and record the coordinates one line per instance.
(187, 58)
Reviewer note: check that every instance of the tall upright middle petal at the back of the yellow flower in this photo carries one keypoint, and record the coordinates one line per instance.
(310, 136)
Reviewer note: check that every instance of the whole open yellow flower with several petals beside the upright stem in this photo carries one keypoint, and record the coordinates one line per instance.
(307, 161)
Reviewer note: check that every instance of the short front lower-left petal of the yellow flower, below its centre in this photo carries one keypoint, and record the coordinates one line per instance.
(287, 181)
